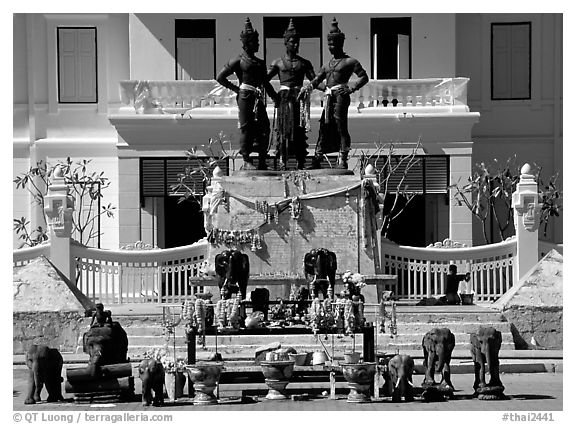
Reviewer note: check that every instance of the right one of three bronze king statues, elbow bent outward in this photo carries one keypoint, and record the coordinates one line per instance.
(334, 135)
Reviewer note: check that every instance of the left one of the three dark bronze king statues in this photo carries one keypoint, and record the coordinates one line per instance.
(252, 77)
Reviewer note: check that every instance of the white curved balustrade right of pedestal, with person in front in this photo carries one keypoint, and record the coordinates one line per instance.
(421, 272)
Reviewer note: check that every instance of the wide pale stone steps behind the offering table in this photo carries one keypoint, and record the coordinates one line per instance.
(145, 331)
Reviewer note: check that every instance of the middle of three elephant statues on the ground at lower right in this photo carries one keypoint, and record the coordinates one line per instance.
(437, 345)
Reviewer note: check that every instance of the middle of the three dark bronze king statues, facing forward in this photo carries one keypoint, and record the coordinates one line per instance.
(292, 121)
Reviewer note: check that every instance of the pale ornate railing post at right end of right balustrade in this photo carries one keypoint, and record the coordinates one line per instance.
(526, 221)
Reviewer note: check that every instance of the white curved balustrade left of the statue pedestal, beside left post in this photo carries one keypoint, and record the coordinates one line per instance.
(134, 276)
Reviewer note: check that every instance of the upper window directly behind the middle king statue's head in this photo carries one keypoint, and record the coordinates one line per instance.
(310, 30)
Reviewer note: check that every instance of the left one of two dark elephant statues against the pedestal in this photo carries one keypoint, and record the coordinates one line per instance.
(233, 270)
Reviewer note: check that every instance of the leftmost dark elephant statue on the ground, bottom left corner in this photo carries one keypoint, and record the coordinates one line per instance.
(45, 366)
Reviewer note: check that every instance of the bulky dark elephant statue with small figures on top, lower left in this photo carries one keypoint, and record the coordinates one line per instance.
(106, 345)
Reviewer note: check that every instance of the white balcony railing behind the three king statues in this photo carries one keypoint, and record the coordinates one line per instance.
(147, 96)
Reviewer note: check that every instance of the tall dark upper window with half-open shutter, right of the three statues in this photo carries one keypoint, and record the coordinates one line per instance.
(391, 47)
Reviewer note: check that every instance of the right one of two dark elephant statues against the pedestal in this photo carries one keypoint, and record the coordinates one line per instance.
(322, 265)
